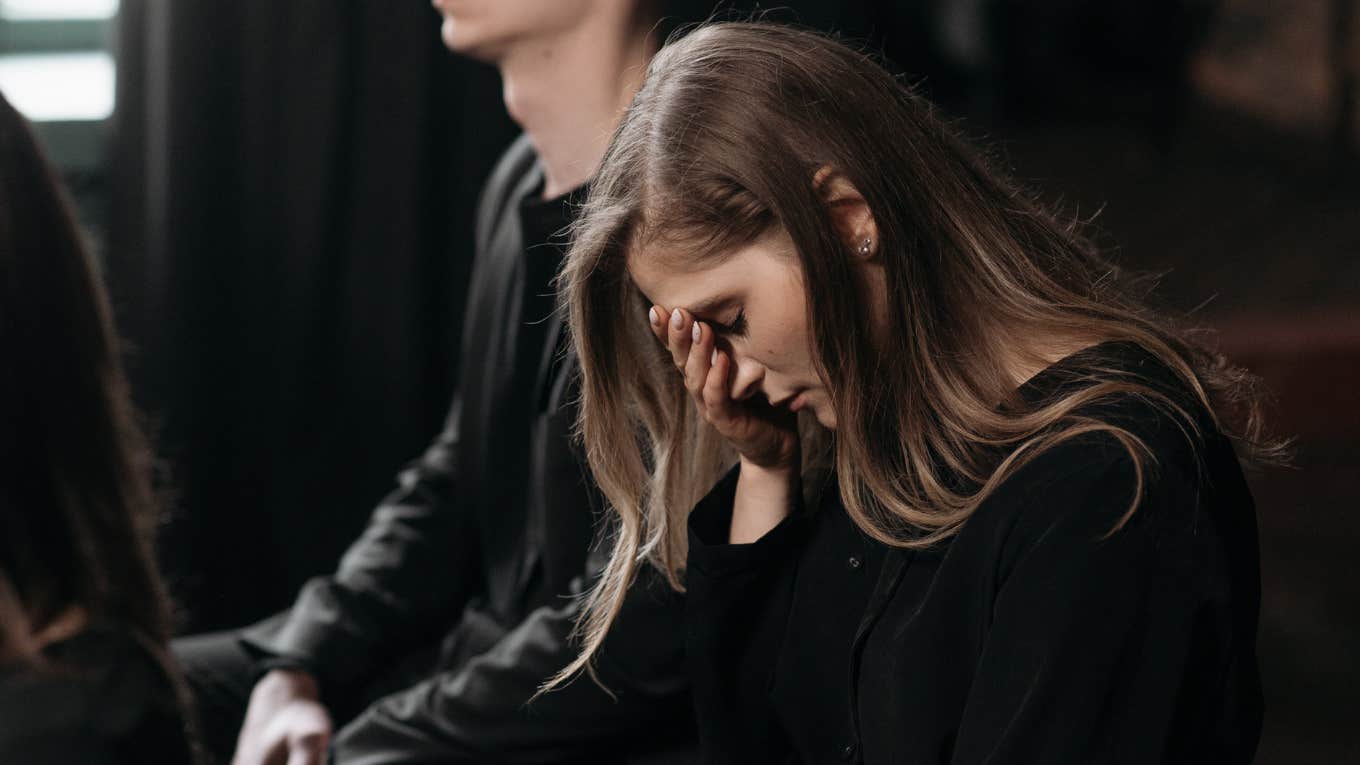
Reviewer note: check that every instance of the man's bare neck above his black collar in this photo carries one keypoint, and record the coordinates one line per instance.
(569, 95)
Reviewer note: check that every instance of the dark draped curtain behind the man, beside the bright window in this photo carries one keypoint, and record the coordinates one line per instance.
(294, 187)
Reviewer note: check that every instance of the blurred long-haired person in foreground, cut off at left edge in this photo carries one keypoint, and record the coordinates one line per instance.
(84, 665)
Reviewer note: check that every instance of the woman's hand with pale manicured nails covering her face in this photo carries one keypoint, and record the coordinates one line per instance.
(766, 438)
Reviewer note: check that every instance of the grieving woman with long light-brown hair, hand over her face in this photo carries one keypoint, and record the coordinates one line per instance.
(1036, 544)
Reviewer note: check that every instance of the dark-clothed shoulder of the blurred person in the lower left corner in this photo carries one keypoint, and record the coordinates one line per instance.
(101, 696)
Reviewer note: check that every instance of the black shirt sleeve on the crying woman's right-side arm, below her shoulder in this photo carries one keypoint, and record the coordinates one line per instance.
(1091, 632)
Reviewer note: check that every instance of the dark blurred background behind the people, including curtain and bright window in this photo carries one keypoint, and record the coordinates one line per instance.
(281, 195)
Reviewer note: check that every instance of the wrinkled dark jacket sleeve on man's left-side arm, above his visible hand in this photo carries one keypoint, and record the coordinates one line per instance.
(410, 574)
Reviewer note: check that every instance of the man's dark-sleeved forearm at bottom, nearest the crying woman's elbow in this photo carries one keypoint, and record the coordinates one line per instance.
(482, 711)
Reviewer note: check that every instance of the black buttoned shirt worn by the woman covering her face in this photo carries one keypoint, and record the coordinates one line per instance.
(1027, 638)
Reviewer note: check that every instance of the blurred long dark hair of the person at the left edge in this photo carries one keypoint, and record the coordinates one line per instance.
(77, 503)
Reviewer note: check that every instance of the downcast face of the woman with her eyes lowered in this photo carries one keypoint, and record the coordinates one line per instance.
(755, 303)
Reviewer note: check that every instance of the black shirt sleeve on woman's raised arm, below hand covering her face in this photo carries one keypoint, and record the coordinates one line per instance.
(738, 604)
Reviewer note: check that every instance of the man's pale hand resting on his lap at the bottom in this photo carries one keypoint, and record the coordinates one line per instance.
(286, 723)
